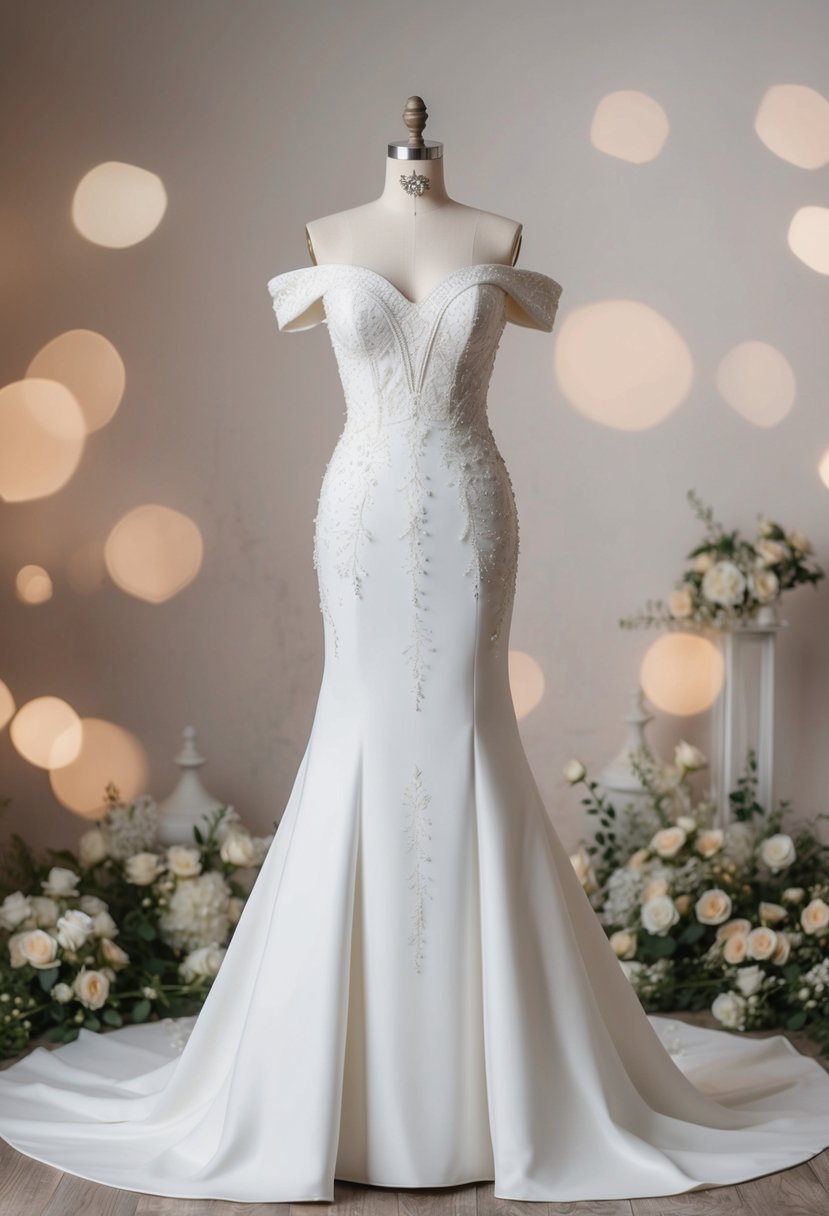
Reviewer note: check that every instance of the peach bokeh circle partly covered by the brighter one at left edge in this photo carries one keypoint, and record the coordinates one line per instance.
(91, 368)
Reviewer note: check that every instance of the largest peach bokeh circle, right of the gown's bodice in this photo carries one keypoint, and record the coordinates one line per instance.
(623, 364)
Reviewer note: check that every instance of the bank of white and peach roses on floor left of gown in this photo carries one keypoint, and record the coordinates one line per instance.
(173, 910)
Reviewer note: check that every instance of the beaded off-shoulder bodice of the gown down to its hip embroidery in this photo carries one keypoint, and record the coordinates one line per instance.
(415, 378)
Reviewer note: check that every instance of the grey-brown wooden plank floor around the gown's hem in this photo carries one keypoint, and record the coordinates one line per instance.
(29, 1189)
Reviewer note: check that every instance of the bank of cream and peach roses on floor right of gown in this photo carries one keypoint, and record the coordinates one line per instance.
(735, 920)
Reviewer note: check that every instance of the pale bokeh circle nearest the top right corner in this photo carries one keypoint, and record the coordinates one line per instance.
(793, 122)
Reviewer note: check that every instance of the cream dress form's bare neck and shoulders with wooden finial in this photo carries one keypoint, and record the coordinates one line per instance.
(414, 239)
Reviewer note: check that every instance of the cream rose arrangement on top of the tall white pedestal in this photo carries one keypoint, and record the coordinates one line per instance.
(731, 581)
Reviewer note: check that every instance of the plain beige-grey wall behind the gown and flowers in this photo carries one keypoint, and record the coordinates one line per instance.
(262, 115)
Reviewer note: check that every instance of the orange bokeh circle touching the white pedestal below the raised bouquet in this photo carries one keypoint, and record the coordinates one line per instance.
(683, 673)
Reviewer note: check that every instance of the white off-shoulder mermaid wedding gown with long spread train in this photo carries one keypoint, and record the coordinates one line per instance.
(419, 993)
